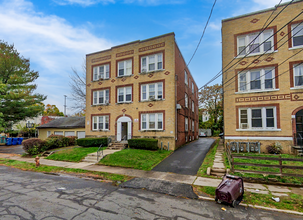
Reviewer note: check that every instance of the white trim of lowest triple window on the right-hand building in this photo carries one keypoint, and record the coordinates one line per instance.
(263, 116)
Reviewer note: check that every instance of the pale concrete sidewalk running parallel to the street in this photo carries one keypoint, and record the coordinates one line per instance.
(171, 177)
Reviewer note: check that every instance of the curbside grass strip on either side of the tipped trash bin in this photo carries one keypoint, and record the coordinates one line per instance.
(292, 202)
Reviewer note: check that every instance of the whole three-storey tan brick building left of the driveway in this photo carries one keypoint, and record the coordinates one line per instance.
(133, 91)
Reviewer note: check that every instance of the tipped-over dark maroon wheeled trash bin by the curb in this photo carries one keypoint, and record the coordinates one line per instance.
(230, 190)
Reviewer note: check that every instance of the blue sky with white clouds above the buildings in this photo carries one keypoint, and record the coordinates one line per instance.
(57, 34)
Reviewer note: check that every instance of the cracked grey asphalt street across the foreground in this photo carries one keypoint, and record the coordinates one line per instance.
(29, 195)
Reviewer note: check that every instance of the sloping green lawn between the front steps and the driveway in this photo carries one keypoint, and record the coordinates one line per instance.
(136, 159)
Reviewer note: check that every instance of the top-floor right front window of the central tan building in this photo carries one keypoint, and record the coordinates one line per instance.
(152, 62)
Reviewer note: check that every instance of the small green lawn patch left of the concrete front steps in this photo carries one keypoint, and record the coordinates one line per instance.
(75, 154)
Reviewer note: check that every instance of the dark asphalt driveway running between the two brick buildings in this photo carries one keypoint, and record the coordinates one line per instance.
(187, 159)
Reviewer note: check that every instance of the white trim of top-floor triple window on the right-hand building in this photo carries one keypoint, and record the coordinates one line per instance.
(261, 43)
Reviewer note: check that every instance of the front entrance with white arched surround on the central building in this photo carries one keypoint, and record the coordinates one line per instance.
(124, 128)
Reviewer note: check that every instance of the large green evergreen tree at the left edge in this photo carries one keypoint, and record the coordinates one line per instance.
(18, 100)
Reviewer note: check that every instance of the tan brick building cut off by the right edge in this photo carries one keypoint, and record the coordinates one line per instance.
(263, 95)
